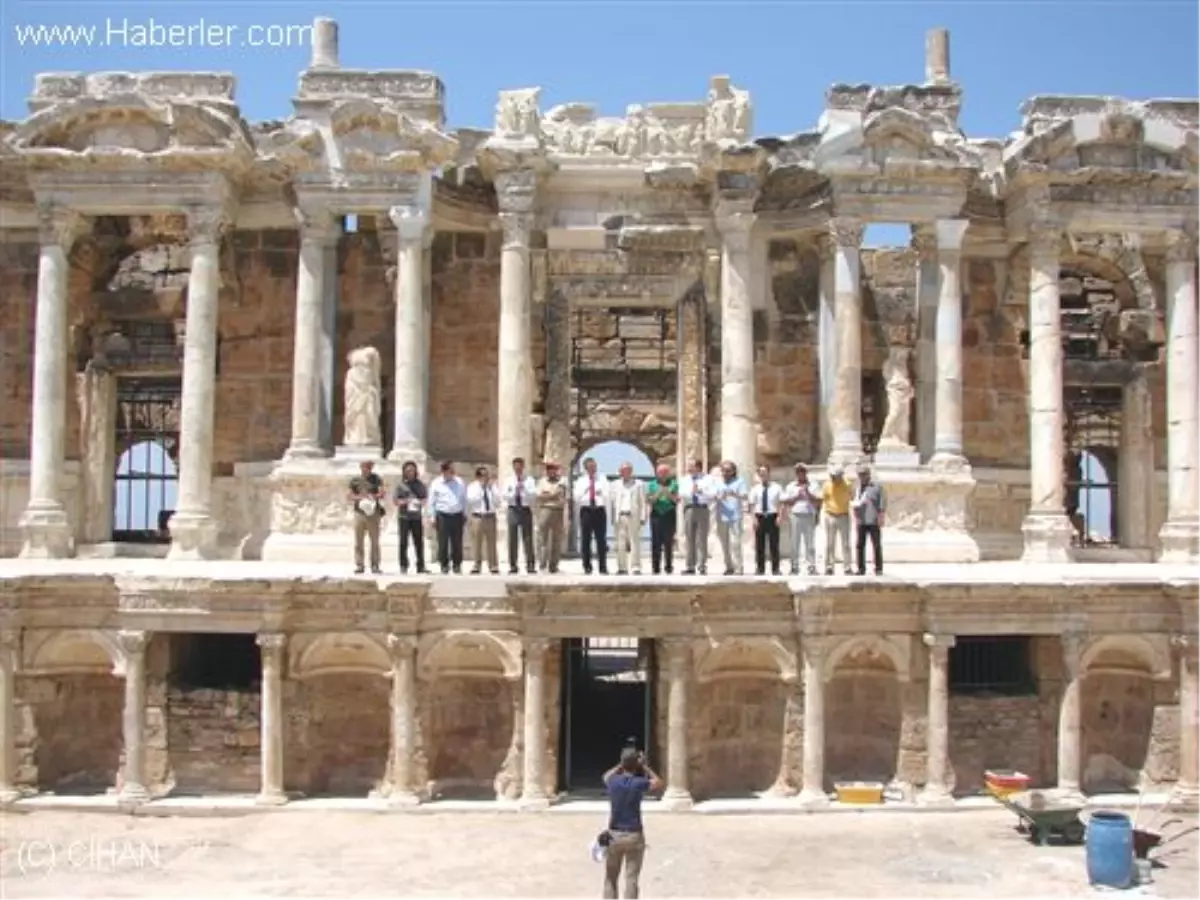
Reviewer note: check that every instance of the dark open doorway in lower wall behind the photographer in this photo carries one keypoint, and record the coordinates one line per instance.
(608, 700)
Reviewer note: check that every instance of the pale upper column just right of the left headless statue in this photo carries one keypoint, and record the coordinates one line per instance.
(412, 347)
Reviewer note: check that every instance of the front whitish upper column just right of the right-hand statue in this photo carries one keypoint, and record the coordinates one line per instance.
(949, 333)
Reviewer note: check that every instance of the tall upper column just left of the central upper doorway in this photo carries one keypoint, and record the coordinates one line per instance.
(514, 423)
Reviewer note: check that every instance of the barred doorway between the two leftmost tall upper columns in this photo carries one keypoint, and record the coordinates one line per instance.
(147, 479)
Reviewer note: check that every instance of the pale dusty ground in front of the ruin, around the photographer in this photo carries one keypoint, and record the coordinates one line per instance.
(362, 855)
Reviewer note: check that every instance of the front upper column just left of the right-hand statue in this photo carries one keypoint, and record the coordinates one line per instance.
(848, 404)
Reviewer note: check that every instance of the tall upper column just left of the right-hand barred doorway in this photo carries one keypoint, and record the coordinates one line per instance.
(1047, 529)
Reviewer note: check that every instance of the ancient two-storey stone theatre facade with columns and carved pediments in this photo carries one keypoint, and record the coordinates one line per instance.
(193, 304)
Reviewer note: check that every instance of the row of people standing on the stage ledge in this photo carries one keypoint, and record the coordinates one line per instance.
(536, 513)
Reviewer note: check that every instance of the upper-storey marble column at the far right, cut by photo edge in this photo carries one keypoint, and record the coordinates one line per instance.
(1180, 536)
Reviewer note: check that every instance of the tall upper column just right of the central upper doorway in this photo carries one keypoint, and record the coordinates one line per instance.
(740, 431)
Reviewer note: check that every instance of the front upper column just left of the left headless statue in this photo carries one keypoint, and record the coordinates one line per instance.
(317, 233)
